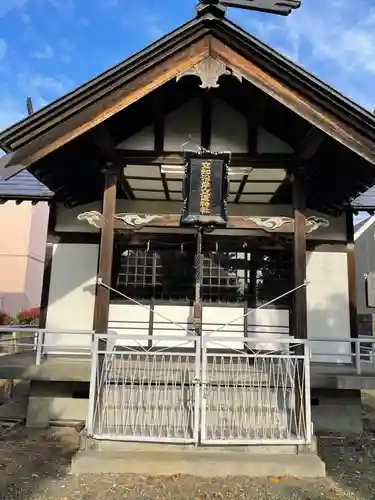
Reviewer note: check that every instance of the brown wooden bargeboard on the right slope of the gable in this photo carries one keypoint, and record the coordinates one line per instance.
(307, 109)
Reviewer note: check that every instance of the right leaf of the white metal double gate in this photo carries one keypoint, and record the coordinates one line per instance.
(256, 396)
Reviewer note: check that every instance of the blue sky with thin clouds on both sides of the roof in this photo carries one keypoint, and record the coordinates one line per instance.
(48, 47)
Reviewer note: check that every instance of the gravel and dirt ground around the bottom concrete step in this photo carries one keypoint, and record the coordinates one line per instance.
(34, 465)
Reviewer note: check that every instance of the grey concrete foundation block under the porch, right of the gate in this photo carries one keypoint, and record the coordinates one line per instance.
(338, 412)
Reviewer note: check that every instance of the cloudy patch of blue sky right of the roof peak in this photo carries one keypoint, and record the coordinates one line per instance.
(334, 40)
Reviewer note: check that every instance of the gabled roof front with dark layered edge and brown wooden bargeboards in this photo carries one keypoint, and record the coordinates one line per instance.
(70, 117)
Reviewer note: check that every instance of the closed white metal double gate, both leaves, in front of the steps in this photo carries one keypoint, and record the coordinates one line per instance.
(187, 389)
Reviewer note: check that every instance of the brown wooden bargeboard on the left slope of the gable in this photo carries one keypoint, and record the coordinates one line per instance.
(107, 106)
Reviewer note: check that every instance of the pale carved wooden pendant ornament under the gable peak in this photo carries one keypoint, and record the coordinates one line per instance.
(209, 71)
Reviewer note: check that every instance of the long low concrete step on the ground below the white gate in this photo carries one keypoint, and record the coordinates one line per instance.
(202, 462)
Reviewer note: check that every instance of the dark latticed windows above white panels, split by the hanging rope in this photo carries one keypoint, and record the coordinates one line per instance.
(227, 277)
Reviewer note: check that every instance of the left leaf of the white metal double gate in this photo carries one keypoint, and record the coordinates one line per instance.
(146, 394)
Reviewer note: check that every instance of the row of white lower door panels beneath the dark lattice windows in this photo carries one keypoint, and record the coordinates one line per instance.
(132, 323)
